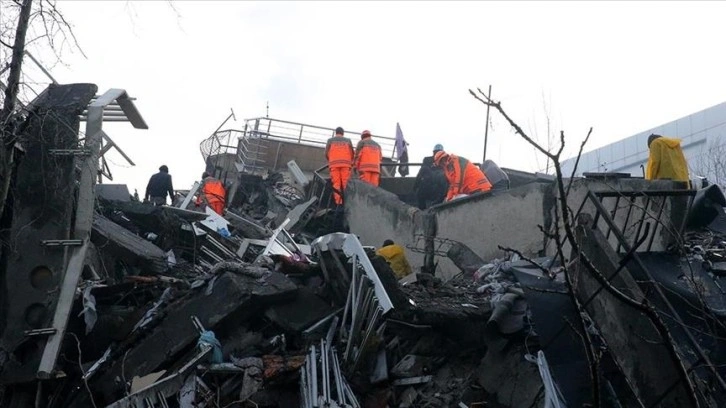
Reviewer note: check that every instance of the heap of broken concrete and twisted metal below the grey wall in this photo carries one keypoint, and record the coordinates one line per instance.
(181, 307)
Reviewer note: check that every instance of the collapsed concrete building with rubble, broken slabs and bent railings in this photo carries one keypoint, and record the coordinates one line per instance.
(282, 301)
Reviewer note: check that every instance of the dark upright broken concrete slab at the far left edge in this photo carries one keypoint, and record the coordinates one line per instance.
(35, 259)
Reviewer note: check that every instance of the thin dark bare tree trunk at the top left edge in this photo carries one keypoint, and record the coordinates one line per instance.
(11, 94)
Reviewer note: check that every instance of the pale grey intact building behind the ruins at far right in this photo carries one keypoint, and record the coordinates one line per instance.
(703, 136)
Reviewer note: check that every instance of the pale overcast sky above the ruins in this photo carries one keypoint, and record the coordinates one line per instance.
(620, 67)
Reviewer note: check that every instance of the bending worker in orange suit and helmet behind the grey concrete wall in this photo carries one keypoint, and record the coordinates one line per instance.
(463, 176)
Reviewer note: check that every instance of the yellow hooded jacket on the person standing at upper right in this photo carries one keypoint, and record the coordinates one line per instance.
(666, 160)
